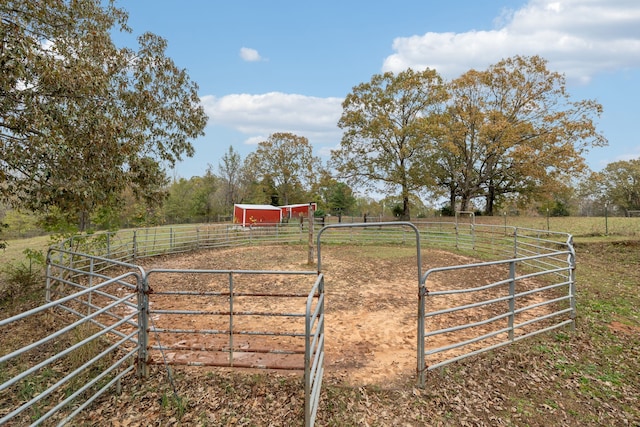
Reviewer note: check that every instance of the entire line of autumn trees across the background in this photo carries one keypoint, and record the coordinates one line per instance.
(89, 132)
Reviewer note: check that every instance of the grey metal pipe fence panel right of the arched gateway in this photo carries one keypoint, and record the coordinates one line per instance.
(536, 295)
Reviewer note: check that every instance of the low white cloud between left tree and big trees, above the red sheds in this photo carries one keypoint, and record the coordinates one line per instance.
(258, 116)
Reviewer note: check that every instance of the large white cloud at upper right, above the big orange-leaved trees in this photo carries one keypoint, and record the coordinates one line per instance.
(579, 38)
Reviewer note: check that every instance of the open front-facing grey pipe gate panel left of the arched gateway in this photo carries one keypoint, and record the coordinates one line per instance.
(235, 318)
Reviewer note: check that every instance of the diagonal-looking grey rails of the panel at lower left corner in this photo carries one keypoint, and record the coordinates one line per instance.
(60, 391)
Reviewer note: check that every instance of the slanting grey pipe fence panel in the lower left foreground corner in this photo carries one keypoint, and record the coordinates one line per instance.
(71, 358)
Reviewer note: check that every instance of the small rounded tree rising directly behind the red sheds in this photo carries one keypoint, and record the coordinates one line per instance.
(285, 162)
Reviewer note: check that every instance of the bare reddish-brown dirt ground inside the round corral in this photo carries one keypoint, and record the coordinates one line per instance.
(371, 309)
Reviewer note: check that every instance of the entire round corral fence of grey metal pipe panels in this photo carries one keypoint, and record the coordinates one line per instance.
(105, 317)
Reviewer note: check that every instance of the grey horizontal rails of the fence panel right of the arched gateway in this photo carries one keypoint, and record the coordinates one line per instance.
(545, 271)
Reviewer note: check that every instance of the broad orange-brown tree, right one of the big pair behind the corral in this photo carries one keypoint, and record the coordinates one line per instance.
(512, 129)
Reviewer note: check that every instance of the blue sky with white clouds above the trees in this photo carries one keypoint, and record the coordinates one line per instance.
(285, 66)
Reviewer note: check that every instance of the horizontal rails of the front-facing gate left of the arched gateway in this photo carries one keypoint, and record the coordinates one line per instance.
(224, 309)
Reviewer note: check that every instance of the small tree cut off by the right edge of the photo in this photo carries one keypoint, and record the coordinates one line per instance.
(621, 184)
